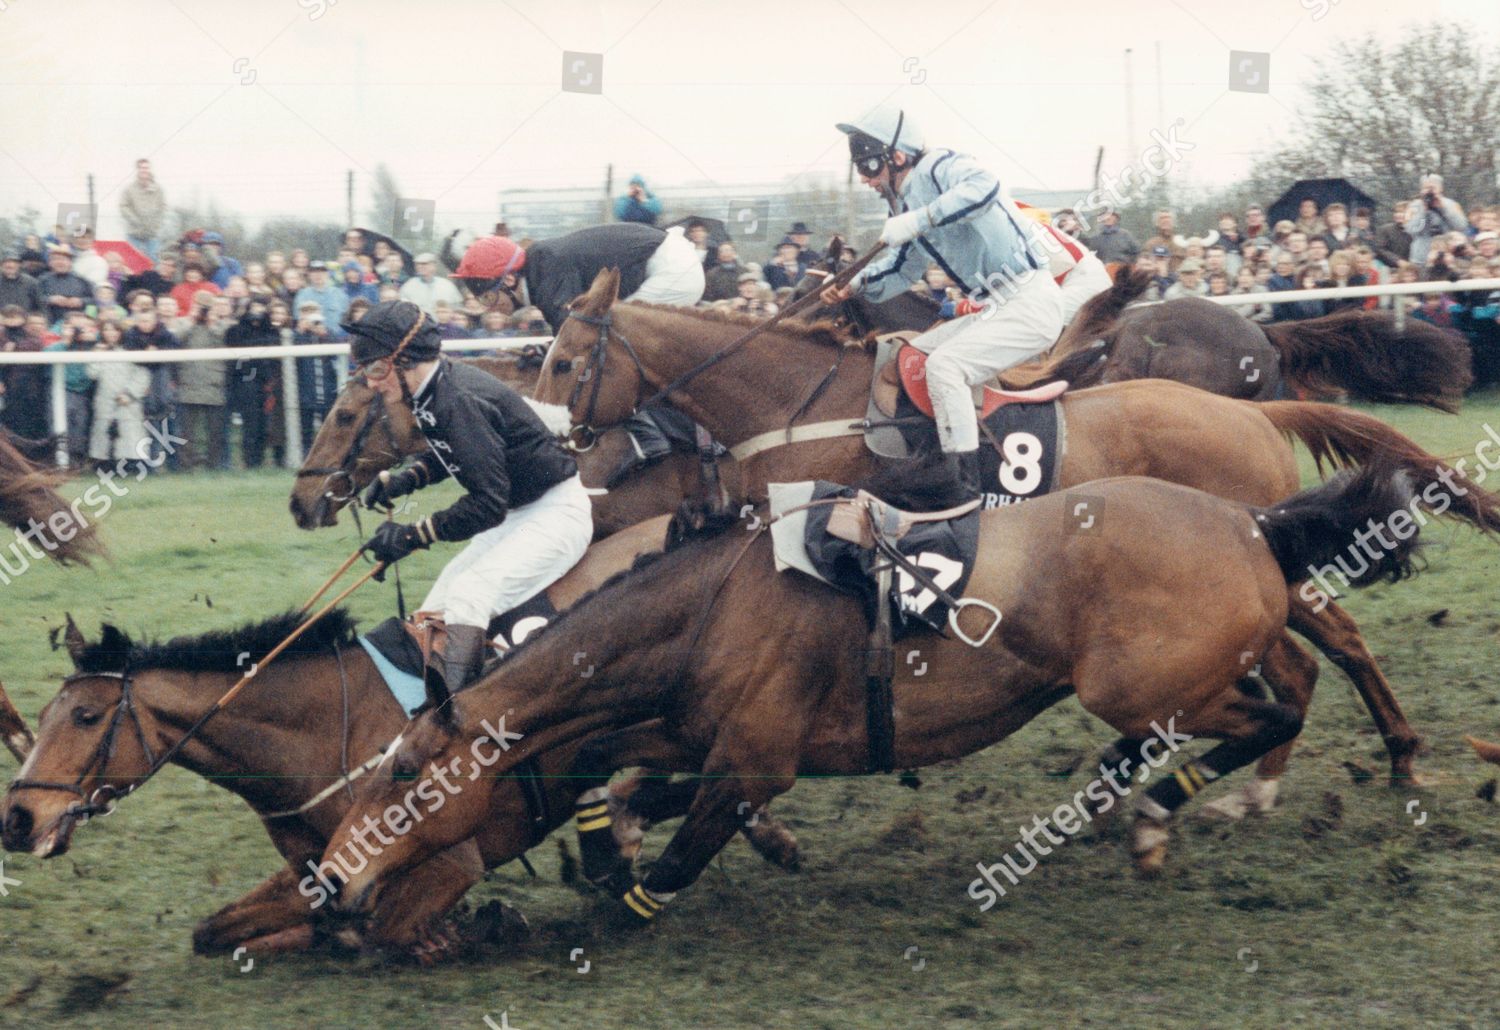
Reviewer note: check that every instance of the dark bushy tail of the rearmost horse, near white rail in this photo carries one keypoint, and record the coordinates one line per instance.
(1366, 355)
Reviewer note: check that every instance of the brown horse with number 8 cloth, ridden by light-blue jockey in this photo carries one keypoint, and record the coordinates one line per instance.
(1166, 431)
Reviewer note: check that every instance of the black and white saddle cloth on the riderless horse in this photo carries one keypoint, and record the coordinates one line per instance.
(805, 540)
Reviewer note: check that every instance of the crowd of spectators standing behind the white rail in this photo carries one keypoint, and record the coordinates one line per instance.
(62, 293)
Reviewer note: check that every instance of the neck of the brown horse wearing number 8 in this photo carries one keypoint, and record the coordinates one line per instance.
(757, 389)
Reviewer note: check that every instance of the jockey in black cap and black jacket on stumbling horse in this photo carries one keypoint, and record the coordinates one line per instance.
(526, 512)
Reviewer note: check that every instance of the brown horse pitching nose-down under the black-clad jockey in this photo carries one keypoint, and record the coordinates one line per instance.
(308, 719)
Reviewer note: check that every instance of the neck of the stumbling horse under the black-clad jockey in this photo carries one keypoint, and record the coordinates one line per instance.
(286, 725)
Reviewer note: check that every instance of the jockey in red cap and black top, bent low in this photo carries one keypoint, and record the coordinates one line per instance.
(658, 266)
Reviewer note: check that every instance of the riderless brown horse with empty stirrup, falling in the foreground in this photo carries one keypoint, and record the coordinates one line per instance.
(763, 674)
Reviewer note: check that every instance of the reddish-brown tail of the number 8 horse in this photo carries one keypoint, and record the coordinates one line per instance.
(1343, 439)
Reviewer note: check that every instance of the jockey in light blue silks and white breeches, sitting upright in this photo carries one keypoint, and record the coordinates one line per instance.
(947, 209)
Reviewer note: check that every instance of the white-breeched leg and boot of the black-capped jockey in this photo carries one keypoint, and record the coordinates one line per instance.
(506, 566)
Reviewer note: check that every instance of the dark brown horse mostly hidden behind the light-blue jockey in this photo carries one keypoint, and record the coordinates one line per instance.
(1208, 346)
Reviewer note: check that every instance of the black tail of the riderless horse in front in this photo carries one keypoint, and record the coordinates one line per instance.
(1312, 530)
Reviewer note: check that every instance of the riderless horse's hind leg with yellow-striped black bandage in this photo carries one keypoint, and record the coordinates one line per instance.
(1249, 729)
